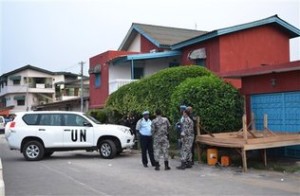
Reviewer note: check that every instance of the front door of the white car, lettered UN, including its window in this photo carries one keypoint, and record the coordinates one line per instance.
(75, 133)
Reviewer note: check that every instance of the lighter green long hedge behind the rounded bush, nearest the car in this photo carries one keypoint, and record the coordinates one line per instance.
(152, 92)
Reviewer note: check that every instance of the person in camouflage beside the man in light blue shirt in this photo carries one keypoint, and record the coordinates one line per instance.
(159, 129)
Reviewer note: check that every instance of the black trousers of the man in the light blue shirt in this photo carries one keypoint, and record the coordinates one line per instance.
(147, 146)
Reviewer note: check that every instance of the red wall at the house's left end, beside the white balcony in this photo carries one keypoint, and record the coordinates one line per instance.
(99, 95)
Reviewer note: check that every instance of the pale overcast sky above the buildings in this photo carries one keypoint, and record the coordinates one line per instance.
(57, 34)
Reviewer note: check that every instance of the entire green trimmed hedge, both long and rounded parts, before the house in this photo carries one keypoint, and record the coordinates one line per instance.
(218, 104)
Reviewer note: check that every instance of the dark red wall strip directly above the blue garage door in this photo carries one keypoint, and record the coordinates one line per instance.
(285, 82)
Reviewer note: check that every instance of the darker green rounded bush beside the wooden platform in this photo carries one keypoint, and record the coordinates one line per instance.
(218, 104)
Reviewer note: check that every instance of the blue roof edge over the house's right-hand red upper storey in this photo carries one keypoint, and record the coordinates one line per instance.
(275, 20)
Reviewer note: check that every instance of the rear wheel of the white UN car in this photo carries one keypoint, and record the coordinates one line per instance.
(33, 151)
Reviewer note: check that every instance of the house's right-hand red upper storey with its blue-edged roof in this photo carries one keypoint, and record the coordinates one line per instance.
(262, 42)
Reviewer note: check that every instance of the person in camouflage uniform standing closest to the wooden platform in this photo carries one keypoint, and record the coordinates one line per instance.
(187, 139)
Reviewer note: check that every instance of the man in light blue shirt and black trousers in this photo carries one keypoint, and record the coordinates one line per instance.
(143, 126)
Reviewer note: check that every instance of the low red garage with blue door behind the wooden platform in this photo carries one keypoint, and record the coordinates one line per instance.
(273, 90)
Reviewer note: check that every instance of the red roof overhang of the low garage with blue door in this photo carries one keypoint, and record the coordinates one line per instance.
(266, 69)
